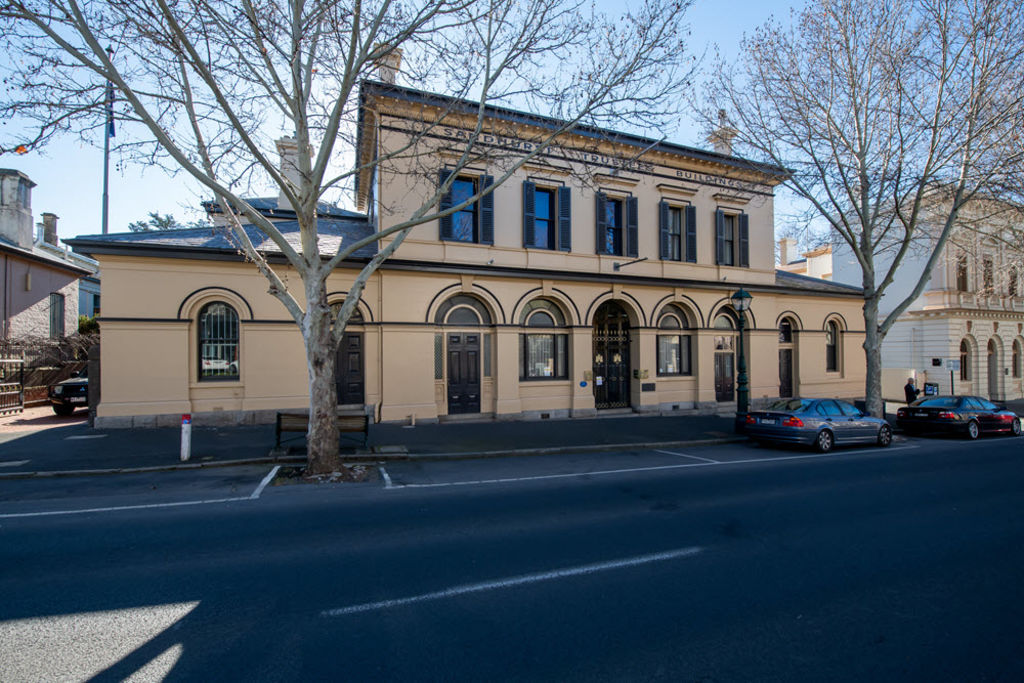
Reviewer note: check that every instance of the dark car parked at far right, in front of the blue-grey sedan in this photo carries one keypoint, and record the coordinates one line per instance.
(970, 416)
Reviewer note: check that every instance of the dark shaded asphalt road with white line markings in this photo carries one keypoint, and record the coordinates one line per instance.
(728, 564)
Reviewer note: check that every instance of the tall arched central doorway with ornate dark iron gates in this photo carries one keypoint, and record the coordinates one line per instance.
(612, 357)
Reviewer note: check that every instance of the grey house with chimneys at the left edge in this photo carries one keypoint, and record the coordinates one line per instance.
(39, 291)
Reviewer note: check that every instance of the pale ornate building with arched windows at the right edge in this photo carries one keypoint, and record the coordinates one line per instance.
(965, 331)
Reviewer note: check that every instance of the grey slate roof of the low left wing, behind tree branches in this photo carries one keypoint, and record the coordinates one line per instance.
(333, 234)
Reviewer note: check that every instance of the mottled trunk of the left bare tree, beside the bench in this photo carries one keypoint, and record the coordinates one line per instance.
(322, 438)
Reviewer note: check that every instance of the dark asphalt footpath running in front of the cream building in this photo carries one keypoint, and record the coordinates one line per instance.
(37, 444)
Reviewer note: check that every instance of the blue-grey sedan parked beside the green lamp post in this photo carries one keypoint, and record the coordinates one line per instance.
(823, 423)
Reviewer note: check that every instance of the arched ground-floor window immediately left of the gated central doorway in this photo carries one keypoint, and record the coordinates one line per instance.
(544, 355)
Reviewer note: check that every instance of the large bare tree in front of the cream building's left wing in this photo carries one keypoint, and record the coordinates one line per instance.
(205, 87)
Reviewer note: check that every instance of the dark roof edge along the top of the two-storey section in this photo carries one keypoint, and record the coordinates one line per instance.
(525, 118)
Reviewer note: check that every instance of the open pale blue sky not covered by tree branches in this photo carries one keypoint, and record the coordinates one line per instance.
(69, 174)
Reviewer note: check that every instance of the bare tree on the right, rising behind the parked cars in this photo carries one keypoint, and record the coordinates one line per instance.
(884, 111)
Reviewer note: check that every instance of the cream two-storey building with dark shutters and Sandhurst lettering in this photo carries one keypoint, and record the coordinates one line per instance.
(548, 298)
